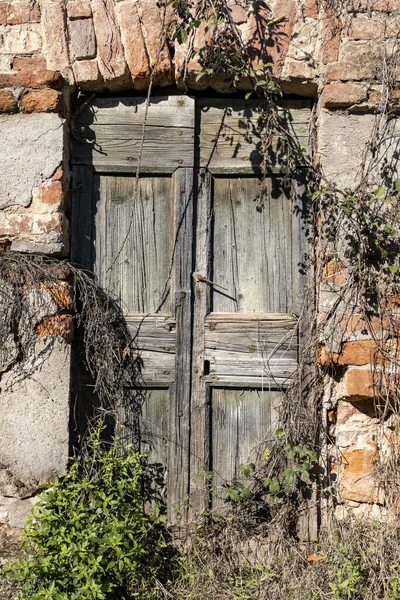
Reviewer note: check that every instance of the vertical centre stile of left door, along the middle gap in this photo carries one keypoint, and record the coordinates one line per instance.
(179, 463)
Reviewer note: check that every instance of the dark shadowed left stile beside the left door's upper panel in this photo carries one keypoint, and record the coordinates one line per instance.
(82, 217)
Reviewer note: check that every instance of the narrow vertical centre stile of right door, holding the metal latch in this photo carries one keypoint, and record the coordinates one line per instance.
(200, 426)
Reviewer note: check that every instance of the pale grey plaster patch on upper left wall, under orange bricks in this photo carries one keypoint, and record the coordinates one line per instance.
(21, 171)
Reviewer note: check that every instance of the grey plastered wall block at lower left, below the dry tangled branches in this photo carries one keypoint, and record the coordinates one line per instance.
(35, 408)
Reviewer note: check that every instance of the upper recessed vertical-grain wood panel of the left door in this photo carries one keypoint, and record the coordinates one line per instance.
(139, 273)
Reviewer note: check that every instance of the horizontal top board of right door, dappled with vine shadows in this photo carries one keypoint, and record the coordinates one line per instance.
(231, 142)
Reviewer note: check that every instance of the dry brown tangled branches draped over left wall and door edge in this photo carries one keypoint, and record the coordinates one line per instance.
(40, 295)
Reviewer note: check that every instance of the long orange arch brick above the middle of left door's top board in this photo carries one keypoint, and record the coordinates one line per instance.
(133, 41)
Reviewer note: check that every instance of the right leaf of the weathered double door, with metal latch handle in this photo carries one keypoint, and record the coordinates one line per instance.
(250, 244)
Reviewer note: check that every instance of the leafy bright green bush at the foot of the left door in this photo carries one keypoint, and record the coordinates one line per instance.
(90, 537)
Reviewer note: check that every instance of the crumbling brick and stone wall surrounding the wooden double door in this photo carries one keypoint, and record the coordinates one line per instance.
(52, 49)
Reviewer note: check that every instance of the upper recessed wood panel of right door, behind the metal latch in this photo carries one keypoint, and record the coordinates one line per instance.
(252, 246)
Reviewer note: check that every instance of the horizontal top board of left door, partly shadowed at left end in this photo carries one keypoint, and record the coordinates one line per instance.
(111, 133)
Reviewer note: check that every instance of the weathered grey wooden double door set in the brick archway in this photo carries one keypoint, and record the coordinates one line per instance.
(205, 260)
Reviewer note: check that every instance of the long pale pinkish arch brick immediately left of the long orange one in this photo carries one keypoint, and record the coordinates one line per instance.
(112, 62)
